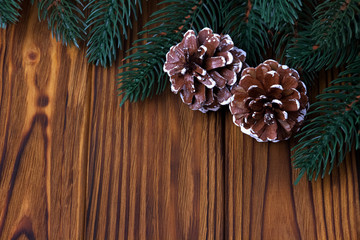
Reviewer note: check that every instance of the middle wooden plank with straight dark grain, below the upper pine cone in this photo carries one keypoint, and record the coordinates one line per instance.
(156, 167)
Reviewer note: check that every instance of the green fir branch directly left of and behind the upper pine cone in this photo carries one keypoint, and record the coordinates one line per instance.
(144, 70)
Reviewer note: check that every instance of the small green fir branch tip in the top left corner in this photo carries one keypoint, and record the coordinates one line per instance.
(9, 12)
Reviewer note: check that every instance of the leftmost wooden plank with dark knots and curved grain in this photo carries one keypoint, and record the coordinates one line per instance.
(44, 104)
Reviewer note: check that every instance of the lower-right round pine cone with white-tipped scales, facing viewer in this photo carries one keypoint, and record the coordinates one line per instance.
(270, 102)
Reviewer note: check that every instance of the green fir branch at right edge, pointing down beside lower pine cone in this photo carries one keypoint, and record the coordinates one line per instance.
(331, 134)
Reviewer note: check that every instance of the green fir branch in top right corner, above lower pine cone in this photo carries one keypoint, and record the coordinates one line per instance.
(331, 40)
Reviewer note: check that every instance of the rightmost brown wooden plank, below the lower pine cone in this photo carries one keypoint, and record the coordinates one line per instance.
(262, 202)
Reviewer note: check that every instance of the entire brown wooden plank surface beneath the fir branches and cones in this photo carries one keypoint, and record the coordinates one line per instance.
(73, 165)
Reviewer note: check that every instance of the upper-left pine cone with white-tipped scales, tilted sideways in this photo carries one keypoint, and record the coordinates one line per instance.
(203, 69)
